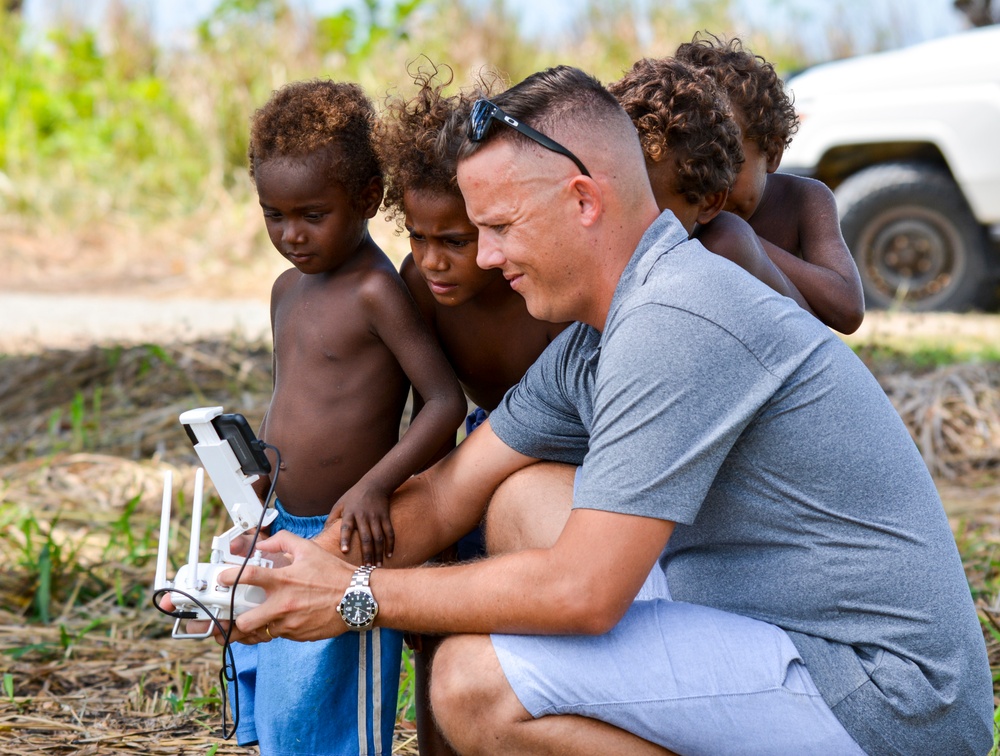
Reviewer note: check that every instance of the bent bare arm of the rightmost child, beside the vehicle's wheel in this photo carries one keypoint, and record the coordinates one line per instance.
(826, 273)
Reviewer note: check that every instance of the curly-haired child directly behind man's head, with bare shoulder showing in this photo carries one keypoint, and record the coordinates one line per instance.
(693, 154)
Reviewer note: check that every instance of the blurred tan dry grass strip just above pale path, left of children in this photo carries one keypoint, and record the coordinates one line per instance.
(222, 250)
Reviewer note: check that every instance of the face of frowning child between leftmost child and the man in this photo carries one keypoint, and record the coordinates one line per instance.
(444, 245)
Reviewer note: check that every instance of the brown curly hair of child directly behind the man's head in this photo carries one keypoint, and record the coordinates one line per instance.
(681, 115)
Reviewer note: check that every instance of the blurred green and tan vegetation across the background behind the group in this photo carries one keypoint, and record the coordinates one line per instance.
(121, 160)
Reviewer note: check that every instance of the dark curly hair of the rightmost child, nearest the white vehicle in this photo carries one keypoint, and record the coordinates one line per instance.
(754, 88)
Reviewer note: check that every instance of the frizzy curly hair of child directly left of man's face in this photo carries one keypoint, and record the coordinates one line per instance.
(421, 137)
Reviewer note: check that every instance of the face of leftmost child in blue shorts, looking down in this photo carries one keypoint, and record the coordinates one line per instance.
(312, 221)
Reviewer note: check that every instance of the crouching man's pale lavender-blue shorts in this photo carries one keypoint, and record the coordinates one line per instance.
(690, 678)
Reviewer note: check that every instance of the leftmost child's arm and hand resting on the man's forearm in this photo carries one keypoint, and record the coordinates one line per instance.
(395, 320)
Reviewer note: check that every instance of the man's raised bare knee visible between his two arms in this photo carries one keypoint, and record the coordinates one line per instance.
(530, 508)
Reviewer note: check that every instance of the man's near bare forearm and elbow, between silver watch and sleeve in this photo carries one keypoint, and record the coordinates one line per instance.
(581, 585)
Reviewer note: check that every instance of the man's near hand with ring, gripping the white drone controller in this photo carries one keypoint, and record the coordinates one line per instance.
(302, 597)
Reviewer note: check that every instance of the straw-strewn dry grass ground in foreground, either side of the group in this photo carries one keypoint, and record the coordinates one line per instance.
(84, 439)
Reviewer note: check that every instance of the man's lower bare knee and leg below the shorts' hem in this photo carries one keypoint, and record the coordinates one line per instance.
(479, 713)
